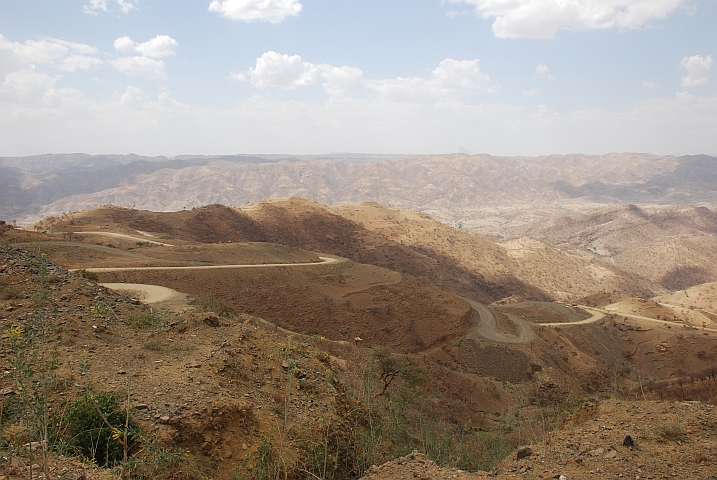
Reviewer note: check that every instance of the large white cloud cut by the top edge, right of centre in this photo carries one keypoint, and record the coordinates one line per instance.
(543, 18)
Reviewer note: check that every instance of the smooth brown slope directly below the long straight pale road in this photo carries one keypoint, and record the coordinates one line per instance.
(340, 301)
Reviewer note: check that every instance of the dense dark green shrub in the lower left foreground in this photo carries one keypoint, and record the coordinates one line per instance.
(88, 431)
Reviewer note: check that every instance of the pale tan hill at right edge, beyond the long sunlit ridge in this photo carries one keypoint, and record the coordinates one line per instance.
(673, 247)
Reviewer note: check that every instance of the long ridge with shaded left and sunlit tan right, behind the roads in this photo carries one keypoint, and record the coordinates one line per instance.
(390, 237)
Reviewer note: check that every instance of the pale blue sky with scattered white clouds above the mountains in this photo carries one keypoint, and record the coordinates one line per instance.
(503, 77)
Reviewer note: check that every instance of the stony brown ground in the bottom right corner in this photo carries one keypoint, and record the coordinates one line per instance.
(669, 440)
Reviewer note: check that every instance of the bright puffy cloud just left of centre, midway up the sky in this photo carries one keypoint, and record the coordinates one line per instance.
(283, 71)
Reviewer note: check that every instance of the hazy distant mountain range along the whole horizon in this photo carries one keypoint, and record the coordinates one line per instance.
(483, 193)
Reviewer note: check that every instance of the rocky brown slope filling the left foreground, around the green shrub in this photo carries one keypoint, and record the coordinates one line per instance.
(209, 386)
